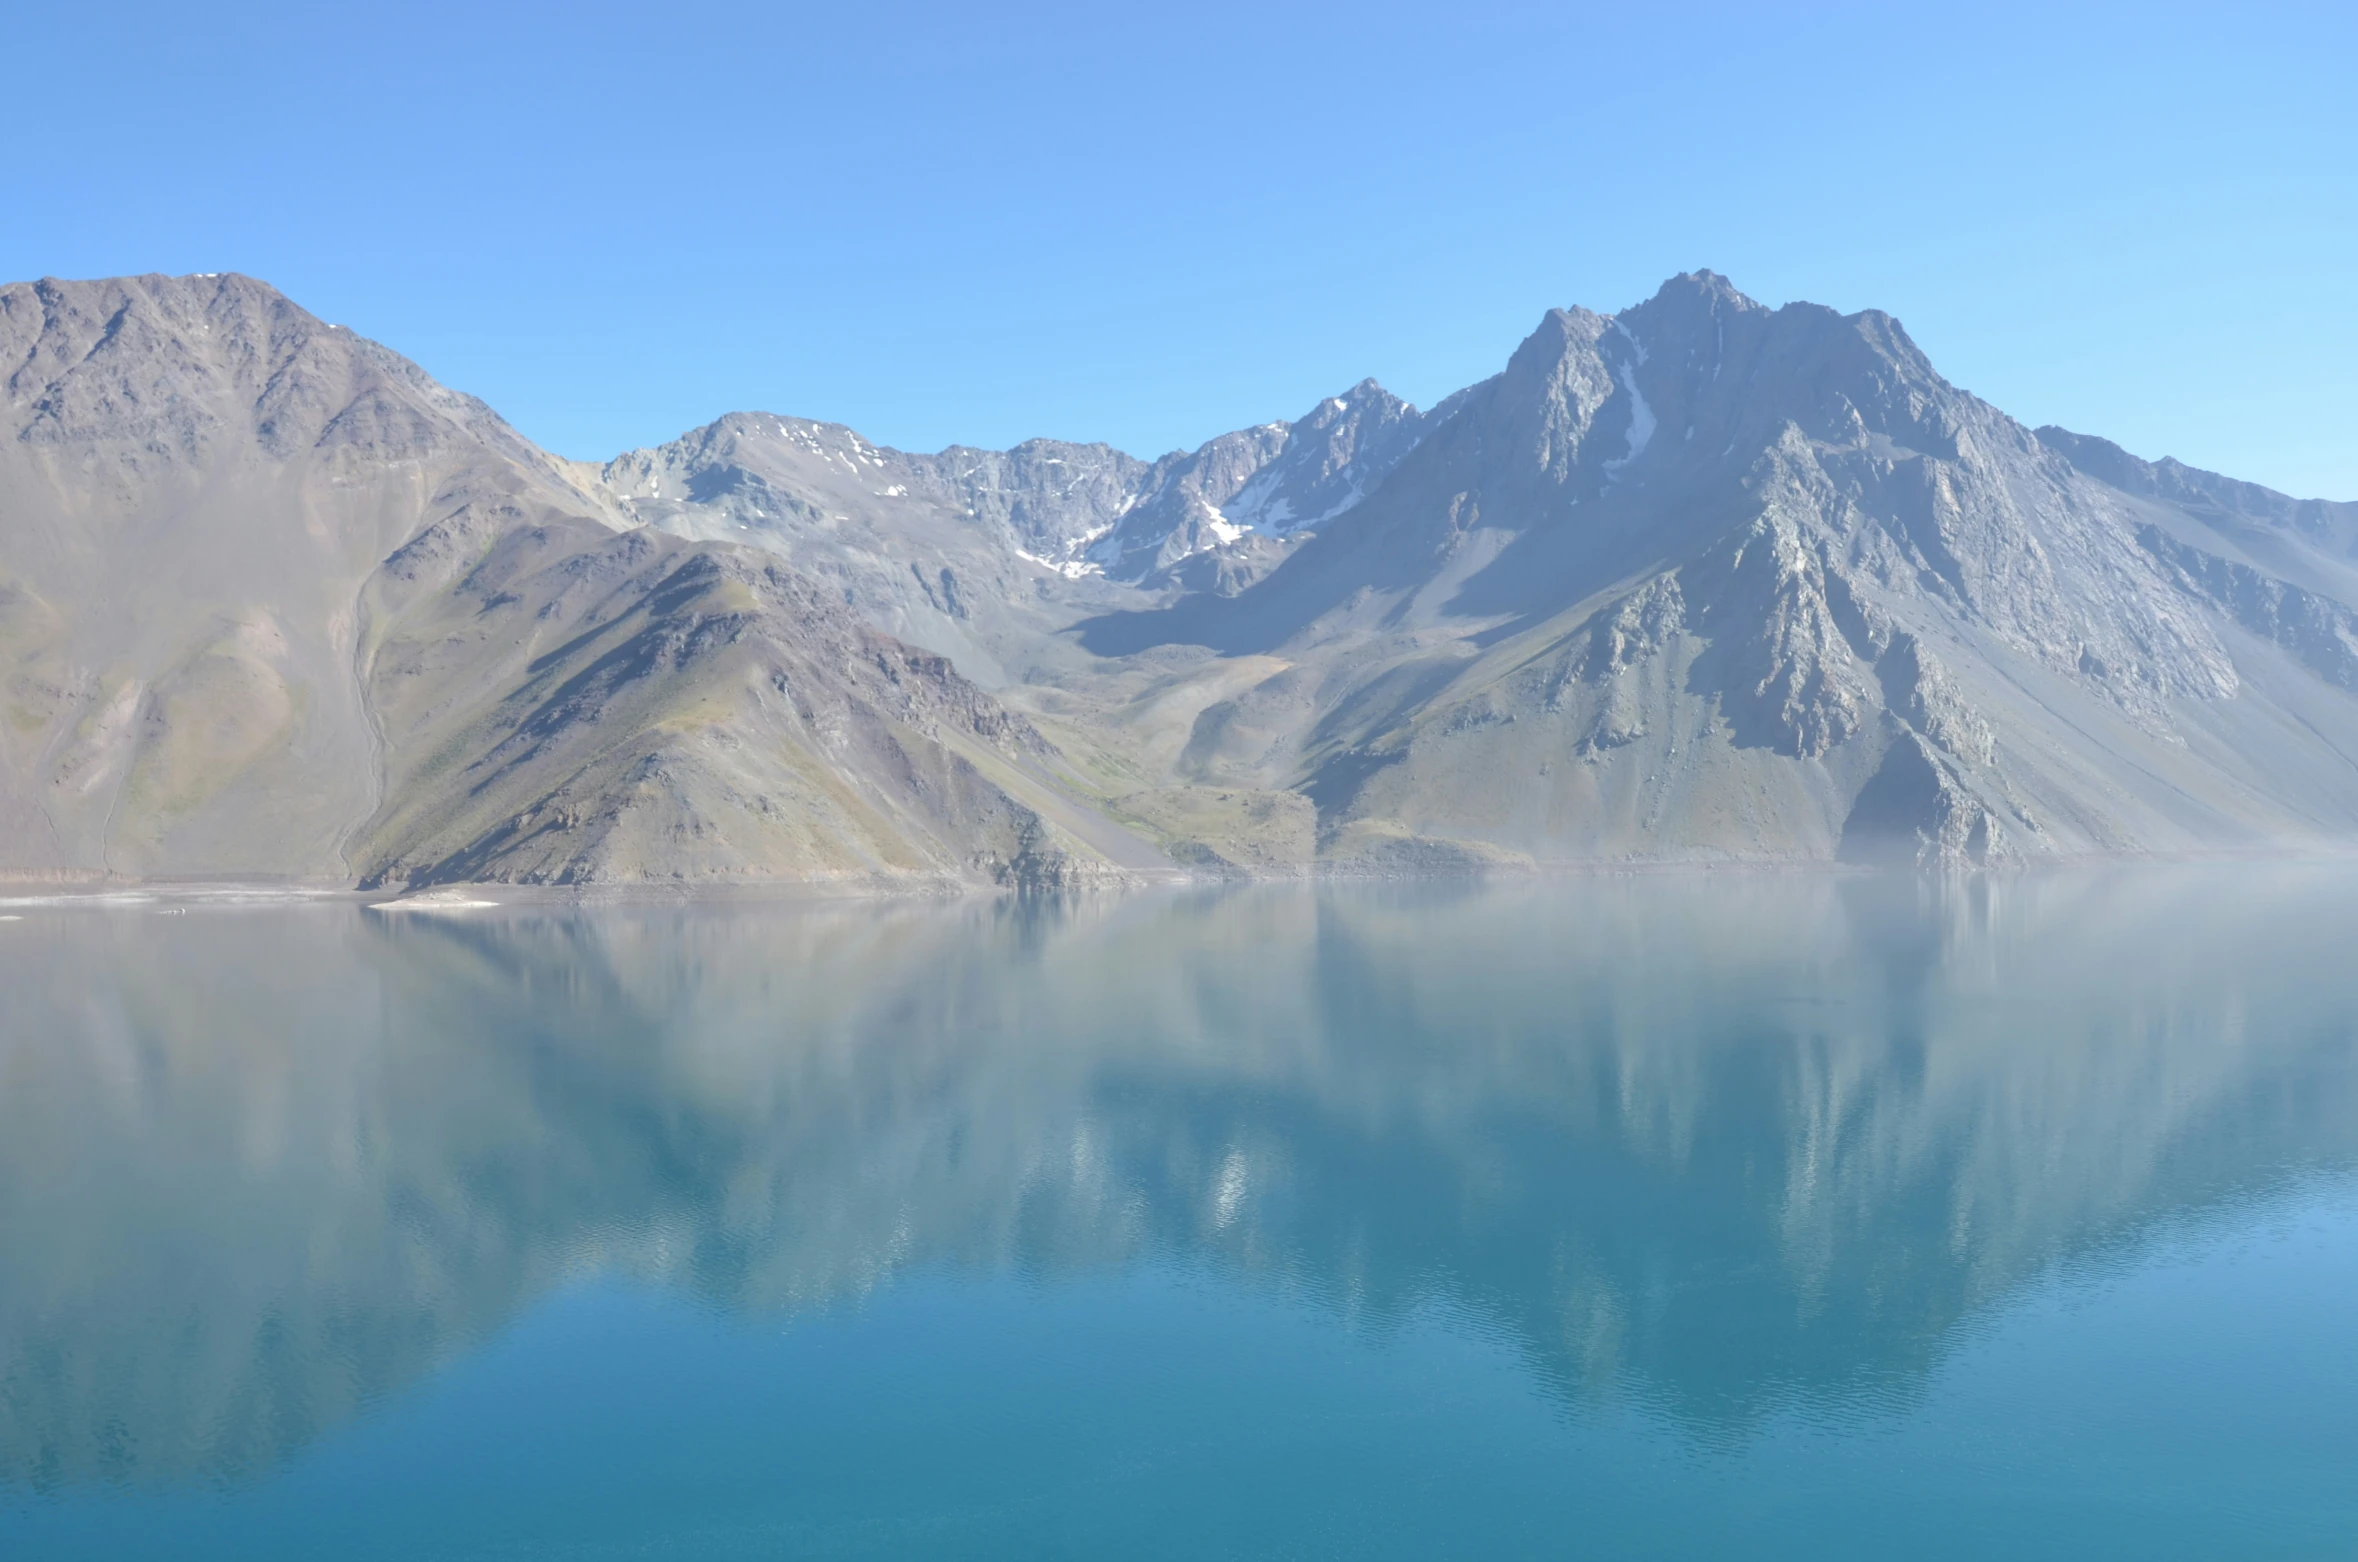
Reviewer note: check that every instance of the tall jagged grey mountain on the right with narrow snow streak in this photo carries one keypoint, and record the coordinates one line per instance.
(1713, 582)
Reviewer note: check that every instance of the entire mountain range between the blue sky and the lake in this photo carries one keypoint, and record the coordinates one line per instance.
(1699, 582)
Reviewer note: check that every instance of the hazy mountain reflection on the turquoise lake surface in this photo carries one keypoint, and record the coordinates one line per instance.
(1725, 1143)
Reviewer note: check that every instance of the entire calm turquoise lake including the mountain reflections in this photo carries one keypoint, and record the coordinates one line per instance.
(1725, 1216)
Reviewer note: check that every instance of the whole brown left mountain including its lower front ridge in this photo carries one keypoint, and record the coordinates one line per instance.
(263, 584)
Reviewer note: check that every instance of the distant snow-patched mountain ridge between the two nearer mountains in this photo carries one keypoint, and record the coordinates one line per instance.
(987, 556)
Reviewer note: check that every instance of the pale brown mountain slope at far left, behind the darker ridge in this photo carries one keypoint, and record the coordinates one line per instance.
(197, 480)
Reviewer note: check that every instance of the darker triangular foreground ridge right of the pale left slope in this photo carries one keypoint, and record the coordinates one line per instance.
(621, 709)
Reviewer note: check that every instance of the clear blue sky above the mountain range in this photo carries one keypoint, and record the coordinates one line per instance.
(1159, 223)
